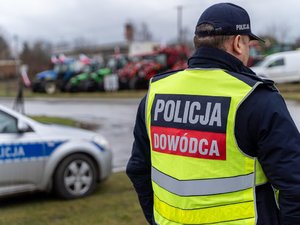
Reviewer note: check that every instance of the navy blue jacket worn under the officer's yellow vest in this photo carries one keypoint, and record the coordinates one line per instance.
(263, 129)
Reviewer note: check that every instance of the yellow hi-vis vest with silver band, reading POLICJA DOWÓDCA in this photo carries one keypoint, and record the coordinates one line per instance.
(199, 174)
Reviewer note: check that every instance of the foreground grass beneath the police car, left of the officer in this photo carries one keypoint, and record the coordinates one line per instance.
(113, 203)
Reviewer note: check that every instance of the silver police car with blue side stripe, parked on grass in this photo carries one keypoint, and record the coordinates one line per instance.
(44, 157)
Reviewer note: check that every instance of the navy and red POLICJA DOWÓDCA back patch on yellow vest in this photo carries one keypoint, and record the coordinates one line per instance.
(192, 126)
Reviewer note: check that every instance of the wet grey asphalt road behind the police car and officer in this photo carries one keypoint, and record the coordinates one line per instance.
(115, 118)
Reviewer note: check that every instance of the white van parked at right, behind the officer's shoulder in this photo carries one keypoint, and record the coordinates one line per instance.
(281, 67)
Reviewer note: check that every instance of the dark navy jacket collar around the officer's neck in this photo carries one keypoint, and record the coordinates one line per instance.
(206, 57)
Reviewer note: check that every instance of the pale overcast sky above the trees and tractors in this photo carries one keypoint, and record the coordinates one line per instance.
(102, 21)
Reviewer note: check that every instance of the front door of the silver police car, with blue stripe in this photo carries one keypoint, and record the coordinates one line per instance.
(21, 156)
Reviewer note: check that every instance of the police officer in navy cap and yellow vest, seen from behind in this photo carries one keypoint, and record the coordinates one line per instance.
(215, 144)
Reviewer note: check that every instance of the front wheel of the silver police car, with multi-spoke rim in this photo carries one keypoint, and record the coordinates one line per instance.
(75, 177)
